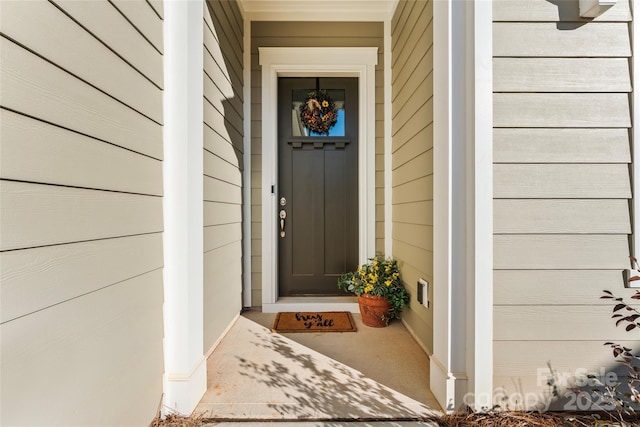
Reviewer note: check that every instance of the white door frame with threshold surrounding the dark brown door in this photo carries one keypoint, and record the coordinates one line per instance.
(315, 62)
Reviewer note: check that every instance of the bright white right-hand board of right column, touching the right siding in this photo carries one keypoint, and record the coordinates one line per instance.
(481, 211)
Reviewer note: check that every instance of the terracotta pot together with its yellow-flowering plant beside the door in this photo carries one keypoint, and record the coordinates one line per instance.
(380, 292)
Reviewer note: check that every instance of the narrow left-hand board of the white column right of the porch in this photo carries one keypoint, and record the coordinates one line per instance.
(446, 384)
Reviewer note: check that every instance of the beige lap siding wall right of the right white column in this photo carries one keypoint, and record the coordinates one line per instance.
(561, 186)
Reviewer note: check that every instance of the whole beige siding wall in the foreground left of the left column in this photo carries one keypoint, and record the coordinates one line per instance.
(81, 212)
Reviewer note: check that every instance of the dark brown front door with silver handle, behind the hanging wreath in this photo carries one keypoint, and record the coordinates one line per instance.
(318, 189)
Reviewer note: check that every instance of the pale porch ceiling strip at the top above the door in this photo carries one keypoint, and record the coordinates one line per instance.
(312, 10)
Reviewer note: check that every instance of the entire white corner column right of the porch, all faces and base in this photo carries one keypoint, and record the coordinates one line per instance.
(462, 360)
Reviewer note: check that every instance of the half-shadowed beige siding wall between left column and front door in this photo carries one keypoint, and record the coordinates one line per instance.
(223, 151)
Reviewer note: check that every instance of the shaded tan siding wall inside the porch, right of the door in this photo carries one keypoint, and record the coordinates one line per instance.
(412, 154)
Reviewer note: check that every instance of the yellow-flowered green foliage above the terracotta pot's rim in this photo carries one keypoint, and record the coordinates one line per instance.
(380, 277)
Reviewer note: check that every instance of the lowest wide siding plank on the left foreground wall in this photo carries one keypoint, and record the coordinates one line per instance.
(91, 358)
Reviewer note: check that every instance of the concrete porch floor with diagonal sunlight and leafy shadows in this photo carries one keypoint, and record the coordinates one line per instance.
(373, 377)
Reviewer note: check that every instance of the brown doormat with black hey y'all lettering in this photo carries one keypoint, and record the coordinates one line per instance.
(331, 321)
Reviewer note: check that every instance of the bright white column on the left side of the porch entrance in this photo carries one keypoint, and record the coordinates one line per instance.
(185, 379)
